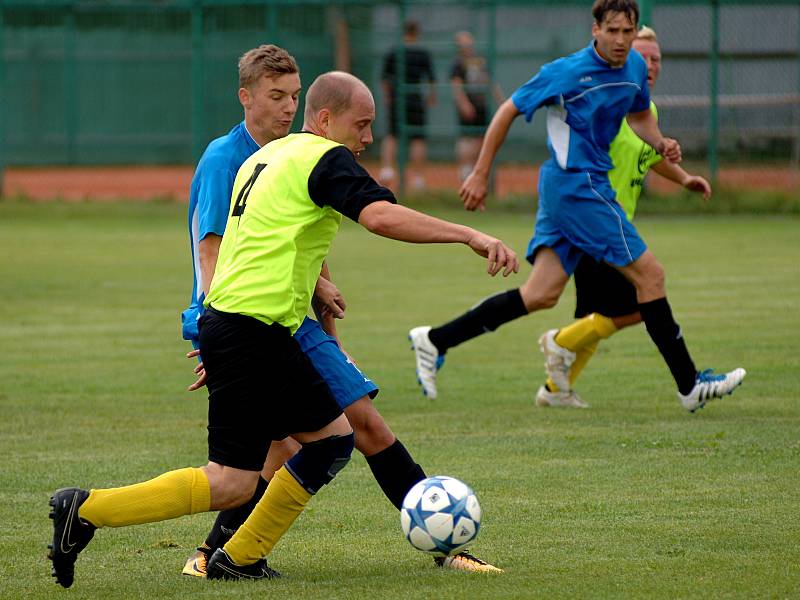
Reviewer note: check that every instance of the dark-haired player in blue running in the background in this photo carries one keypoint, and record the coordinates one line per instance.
(587, 95)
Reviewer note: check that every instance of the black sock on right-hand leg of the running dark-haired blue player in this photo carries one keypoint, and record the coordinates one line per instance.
(666, 334)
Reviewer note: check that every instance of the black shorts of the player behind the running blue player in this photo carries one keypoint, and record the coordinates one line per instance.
(602, 289)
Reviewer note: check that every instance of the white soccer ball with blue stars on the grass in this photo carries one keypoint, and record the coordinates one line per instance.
(440, 515)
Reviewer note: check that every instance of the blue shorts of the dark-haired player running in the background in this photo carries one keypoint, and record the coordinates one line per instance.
(578, 214)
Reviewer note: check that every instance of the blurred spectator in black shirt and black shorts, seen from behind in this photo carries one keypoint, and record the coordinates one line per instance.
(418, 71)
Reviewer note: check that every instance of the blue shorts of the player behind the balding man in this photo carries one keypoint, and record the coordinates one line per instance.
(346, 382)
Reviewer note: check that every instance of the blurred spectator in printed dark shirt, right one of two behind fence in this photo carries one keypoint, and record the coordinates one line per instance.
(471, 88)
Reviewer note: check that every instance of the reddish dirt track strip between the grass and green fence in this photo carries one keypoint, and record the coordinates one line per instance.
(145, 183)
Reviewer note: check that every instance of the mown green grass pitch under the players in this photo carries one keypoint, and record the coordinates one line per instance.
(631, 498)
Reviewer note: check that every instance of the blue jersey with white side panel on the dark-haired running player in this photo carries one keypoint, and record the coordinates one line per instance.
(586, 100)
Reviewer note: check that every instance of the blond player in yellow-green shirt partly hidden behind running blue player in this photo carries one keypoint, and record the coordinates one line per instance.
(605, 301)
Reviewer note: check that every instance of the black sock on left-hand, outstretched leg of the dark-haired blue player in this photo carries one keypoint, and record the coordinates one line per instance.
(485, 316)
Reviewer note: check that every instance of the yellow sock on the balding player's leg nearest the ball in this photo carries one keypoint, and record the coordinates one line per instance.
(280, 505)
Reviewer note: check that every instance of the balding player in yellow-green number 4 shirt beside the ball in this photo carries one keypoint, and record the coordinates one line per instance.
(288, 200)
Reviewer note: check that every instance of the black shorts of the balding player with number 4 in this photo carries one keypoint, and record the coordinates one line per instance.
(261, 387)
